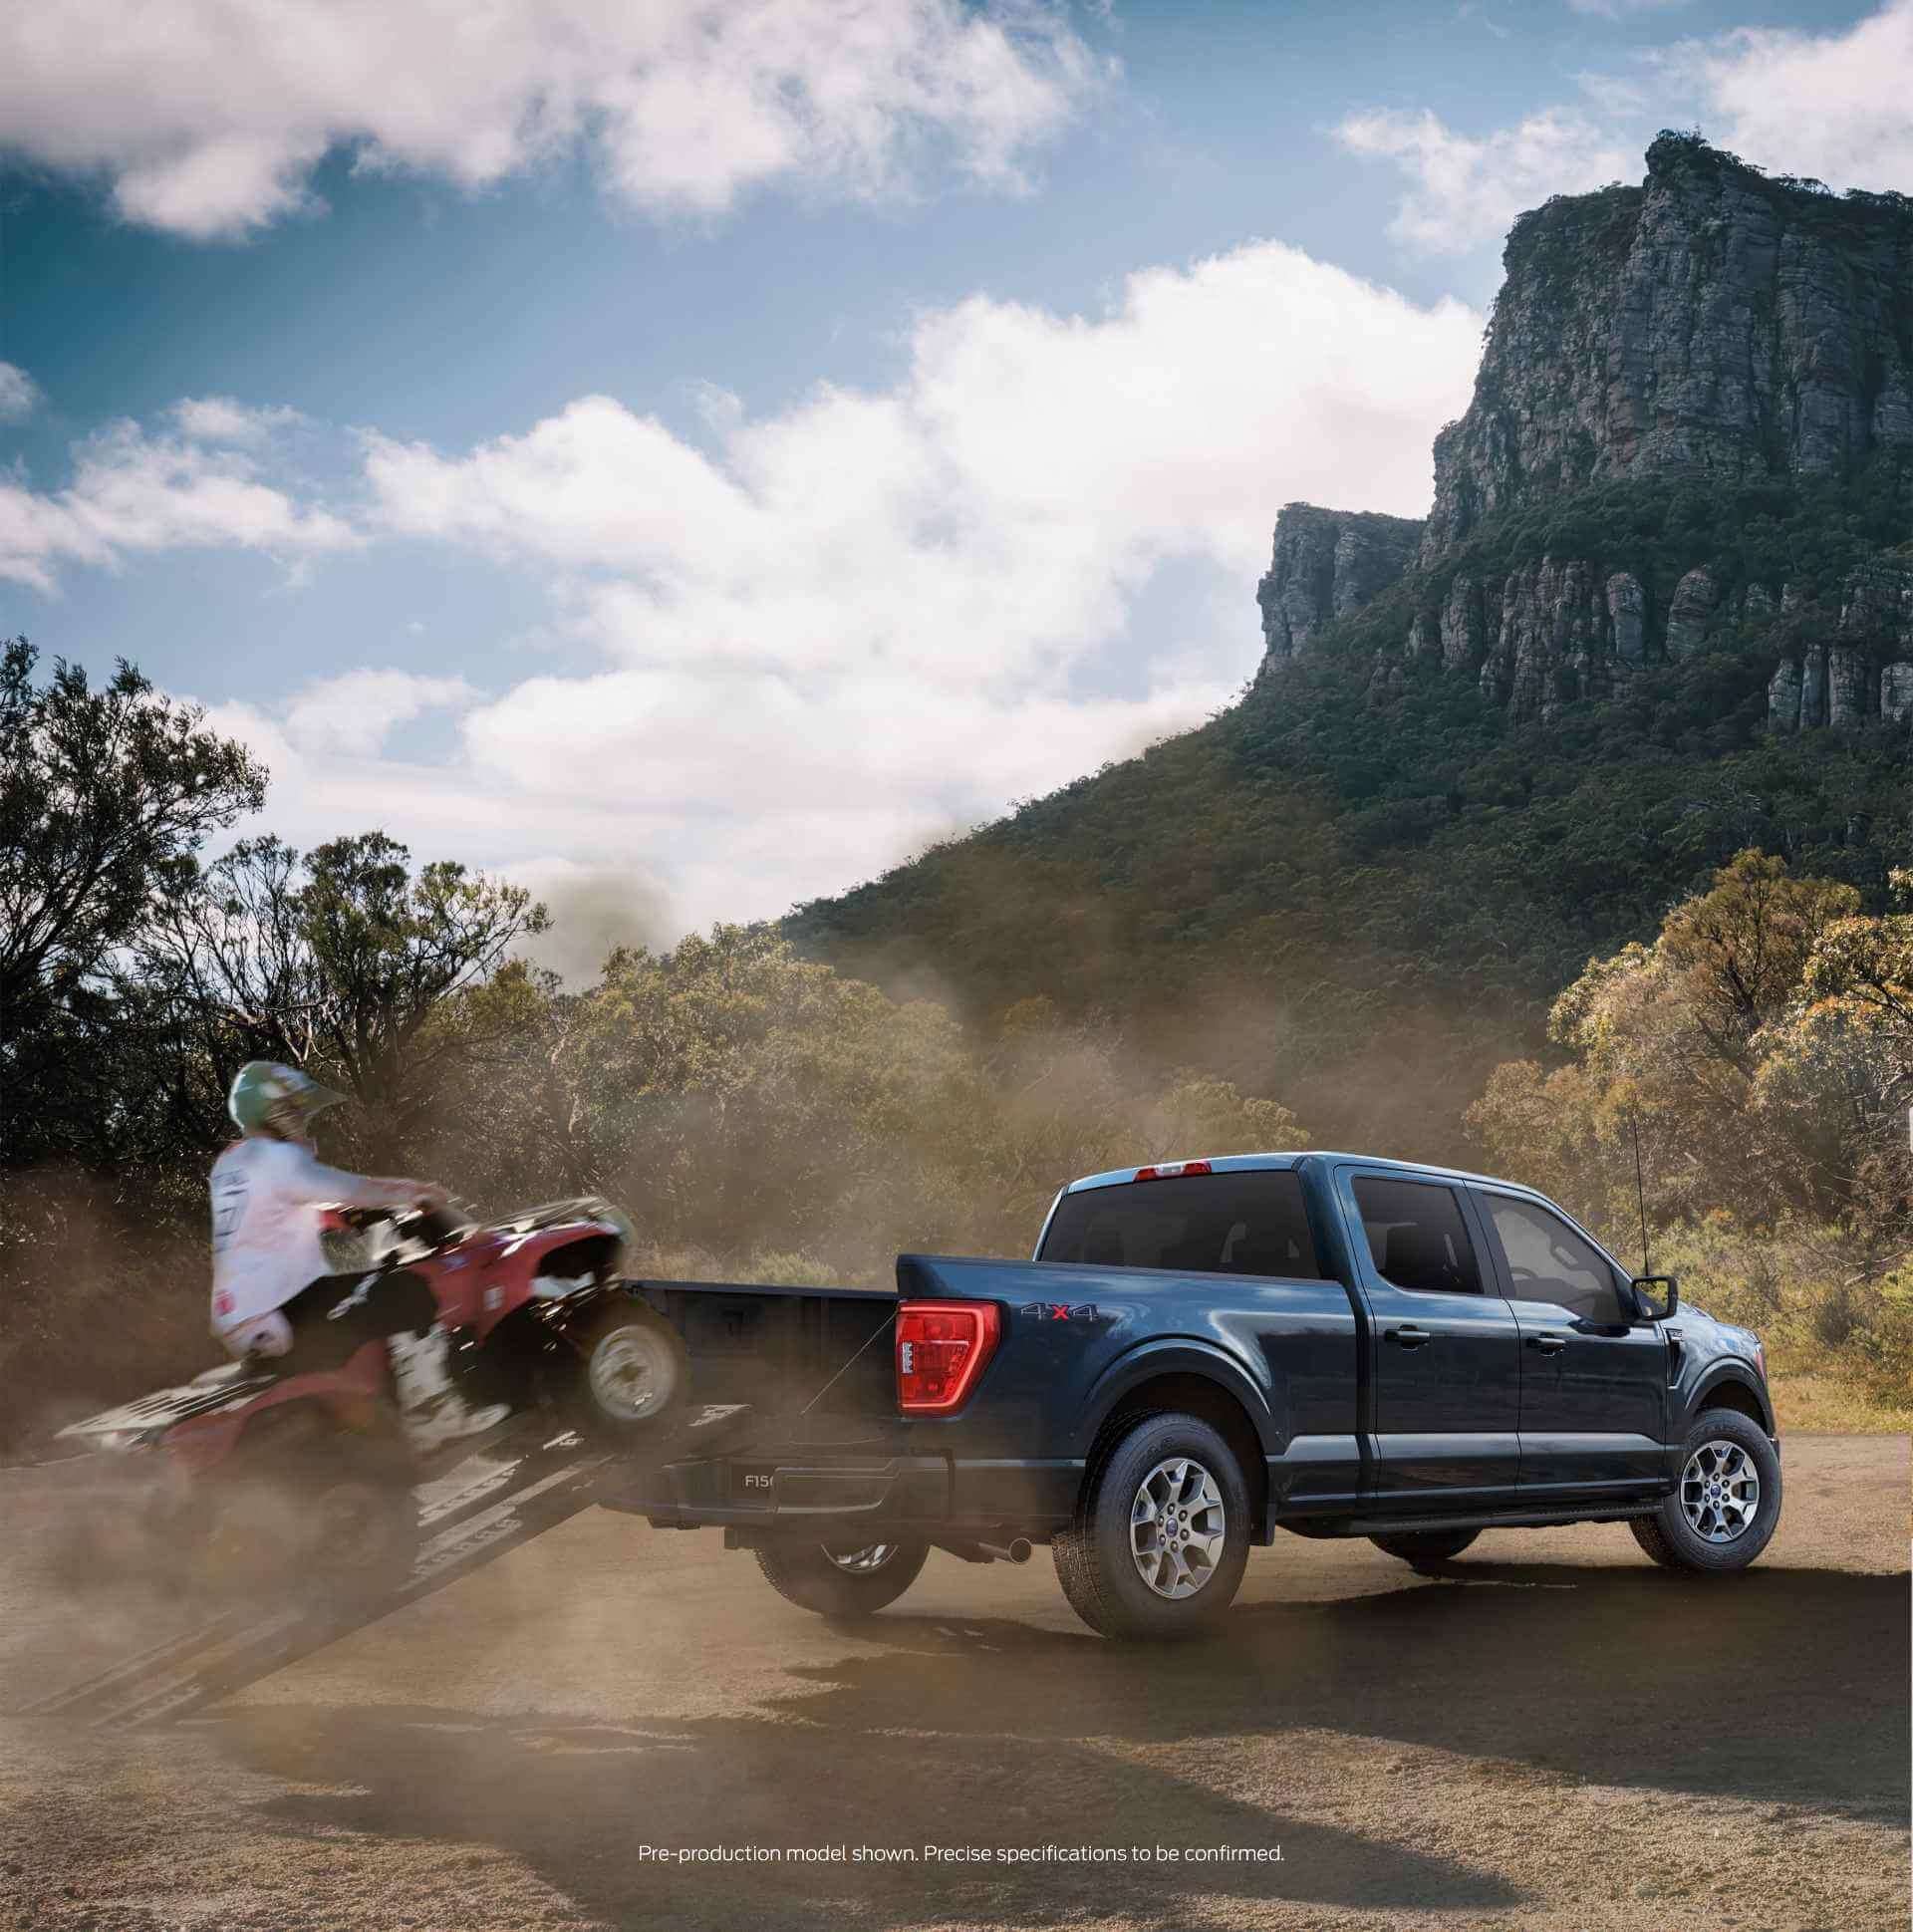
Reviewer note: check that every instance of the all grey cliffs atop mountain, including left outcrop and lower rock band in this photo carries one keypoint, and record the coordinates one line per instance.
(1692, 428)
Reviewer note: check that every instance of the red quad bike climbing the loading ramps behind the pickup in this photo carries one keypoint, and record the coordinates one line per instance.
(258, 1479)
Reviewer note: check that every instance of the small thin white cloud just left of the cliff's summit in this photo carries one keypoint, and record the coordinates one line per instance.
(1464, 192)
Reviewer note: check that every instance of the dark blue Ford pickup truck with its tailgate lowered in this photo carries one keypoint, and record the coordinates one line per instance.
(1205, 1353)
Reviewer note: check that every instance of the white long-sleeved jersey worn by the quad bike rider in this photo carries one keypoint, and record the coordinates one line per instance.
(268, 1203)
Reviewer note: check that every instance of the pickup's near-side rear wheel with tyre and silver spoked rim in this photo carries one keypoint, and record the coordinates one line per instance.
(1160, 1539)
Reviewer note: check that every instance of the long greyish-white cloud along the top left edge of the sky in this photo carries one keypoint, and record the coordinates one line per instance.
(208, 119)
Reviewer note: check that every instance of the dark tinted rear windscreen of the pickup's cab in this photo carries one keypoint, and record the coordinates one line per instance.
(1242, 1224)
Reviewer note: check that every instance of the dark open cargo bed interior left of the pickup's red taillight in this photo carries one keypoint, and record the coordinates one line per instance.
(820, 1353)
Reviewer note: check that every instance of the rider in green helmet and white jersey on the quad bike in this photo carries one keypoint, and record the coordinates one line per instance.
(273, 1292)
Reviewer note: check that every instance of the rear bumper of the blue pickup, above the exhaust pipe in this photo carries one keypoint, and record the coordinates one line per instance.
(801, 1491)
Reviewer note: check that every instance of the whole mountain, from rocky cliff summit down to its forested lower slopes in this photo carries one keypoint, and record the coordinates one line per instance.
(1663, 613)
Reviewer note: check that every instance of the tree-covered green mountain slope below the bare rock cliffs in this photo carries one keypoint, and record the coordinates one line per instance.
(1361, 895)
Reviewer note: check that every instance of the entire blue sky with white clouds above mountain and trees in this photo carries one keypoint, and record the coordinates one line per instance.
(691, 465)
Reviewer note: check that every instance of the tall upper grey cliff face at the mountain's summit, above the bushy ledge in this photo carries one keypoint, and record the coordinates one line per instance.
(1711, 324)
